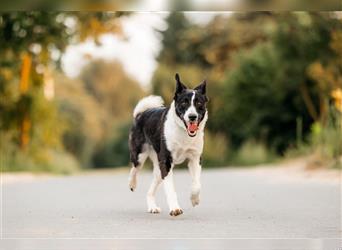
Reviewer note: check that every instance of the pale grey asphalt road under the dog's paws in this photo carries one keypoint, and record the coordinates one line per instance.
(235, 204)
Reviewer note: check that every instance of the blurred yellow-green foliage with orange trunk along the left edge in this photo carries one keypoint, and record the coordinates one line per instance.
(26, 110)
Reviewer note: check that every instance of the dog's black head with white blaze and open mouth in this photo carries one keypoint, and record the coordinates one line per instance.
(190, 105)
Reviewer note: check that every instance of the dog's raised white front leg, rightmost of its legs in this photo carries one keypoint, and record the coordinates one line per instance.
(195, 169)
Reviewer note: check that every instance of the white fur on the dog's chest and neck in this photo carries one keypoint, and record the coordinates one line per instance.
(178, 142)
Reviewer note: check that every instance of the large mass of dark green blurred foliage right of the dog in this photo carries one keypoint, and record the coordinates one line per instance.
(257, 65)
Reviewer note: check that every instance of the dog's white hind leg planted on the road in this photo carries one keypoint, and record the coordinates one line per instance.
(151, 200)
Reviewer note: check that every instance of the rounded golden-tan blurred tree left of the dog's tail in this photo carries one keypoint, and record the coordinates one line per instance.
(102, 100)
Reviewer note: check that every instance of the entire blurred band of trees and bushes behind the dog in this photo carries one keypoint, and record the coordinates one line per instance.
(274, 82)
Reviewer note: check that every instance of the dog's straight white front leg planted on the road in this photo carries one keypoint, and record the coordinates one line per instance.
(171, 195)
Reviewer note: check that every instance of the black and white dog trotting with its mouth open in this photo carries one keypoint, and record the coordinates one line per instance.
(169, 136)
